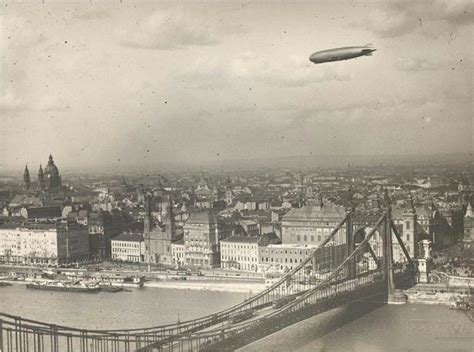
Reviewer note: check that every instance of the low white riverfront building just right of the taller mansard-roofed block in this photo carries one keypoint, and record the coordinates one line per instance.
(242, 252)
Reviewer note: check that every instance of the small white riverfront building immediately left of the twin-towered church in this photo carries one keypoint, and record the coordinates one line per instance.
(128, 247)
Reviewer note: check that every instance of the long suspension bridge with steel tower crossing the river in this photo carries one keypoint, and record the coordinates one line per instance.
(341, 270)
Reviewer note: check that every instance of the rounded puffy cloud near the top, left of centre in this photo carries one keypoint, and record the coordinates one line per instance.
(166, 31)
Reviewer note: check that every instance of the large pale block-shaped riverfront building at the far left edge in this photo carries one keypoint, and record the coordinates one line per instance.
(44, 243)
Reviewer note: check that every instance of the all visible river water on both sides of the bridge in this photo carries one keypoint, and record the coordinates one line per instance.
(387, 328)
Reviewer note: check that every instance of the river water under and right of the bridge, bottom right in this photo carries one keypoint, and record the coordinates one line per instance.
(389, 328)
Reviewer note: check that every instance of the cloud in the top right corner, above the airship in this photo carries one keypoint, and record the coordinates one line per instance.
(405, 17)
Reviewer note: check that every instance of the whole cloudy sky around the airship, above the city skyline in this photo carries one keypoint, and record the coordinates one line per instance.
(142, 83)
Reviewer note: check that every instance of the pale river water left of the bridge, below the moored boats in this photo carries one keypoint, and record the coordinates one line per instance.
(138, 308)
